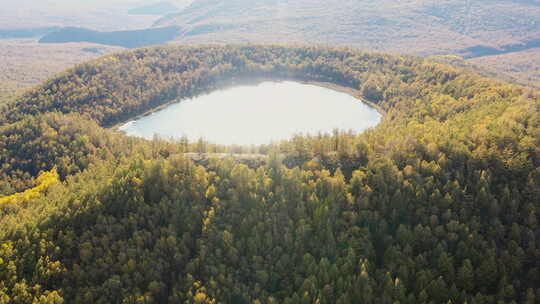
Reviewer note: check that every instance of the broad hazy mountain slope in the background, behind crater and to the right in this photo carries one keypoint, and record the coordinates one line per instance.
(426, 27)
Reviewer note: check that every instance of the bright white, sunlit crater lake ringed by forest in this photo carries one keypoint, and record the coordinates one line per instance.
(257, 114)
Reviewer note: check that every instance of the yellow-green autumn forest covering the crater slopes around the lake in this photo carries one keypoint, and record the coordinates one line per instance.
(437, 204)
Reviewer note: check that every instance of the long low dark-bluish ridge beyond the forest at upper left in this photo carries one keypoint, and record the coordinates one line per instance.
(128, 39)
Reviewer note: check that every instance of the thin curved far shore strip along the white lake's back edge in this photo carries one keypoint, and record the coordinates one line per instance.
(354, 93)
